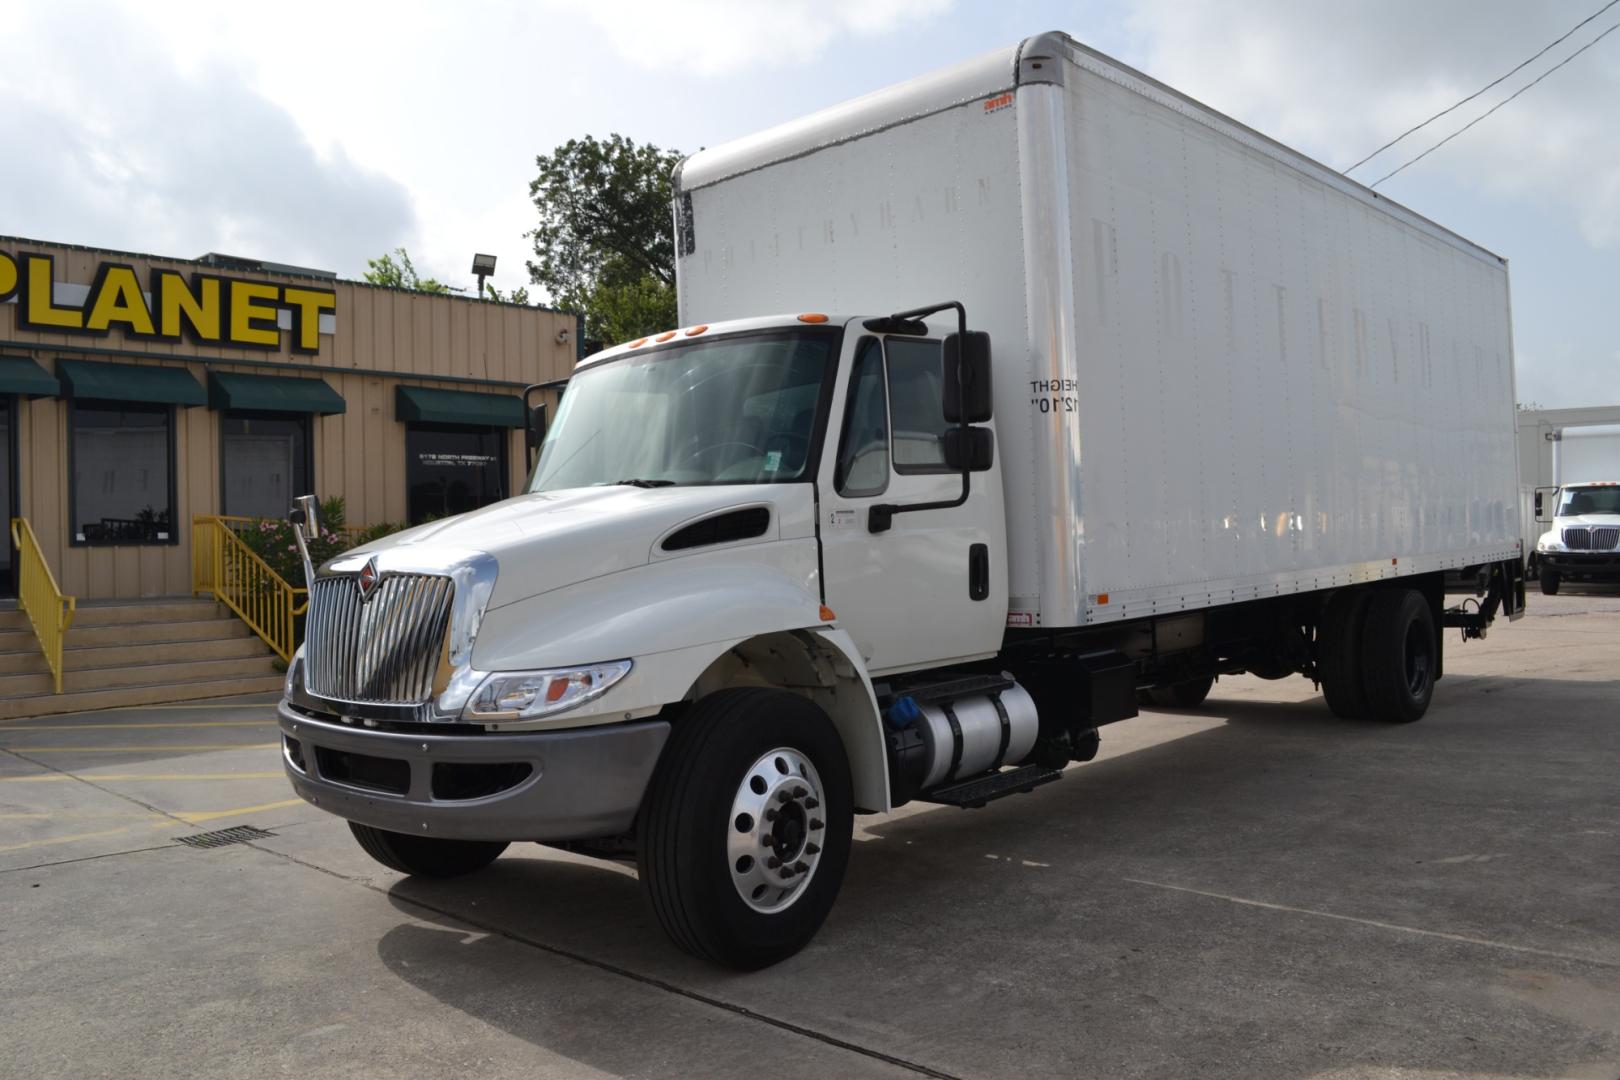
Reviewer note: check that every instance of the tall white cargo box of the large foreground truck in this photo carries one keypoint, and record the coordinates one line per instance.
(1222, 372)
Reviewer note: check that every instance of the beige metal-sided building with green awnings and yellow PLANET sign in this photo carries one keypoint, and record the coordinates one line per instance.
(140, 391)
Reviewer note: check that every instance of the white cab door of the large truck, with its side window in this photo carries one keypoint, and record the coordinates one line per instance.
(932, 589)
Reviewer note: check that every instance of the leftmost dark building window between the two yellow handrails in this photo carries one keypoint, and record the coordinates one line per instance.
(124, 474)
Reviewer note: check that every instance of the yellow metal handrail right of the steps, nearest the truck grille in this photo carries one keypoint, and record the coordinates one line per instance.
(234, 574)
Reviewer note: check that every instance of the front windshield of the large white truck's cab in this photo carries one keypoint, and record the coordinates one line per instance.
(736, 410)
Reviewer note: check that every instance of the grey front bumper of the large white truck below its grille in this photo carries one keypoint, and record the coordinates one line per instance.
(579, 784)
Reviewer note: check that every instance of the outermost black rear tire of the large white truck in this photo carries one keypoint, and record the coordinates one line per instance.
(1399, 657)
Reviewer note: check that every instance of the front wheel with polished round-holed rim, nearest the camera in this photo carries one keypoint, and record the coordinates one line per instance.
(746, 827)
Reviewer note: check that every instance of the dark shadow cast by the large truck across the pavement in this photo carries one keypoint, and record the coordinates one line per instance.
(1128, 904)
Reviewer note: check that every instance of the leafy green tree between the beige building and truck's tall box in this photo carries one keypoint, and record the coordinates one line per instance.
(603, 245)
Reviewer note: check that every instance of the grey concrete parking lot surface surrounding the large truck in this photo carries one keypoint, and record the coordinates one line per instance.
(1253, 890)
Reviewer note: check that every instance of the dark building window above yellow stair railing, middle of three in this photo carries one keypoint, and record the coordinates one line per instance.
(265, 462)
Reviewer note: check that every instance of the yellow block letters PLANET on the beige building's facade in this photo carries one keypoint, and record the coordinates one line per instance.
(200, 308)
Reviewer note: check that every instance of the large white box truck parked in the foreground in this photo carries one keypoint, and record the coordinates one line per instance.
(1080, 391)
